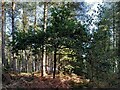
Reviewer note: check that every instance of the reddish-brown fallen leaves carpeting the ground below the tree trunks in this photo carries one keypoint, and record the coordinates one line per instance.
(30, 81)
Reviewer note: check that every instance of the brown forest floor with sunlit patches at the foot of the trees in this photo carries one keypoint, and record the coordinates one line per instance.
(29, 81)
